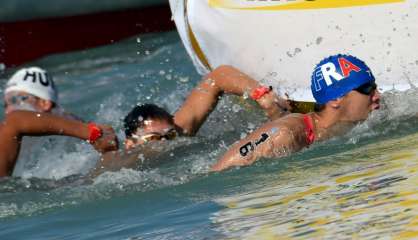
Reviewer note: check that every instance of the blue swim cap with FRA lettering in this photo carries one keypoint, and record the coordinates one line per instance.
(337, 75)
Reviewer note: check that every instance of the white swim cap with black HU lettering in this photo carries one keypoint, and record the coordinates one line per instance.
(35, 81)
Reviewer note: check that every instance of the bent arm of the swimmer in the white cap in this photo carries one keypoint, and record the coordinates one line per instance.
(23, 123)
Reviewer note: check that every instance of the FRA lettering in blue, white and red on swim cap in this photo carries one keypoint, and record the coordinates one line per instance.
(328, 70)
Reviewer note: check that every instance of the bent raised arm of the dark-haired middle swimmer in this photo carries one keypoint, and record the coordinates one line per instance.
(224, 79)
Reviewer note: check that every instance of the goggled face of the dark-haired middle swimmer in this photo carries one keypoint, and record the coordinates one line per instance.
(153, 130)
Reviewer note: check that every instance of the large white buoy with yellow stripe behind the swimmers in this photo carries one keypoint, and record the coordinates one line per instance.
(280, 42)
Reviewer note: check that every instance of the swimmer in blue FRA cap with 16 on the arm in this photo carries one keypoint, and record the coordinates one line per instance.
(345, 92)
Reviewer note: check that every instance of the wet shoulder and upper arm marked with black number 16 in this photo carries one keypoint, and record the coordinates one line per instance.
(273, 139)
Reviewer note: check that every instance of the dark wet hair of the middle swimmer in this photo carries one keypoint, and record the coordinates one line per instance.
(135, 119)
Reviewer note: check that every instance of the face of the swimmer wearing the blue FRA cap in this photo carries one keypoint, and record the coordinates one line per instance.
(358, 104)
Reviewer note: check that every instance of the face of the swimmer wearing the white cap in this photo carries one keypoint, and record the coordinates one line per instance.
(23, 101)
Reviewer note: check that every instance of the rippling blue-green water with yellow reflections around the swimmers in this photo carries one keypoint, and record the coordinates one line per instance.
(362, 185)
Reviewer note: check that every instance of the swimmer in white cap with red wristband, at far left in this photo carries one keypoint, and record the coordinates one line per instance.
(31, 108)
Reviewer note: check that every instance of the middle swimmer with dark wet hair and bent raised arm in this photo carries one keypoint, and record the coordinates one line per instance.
(150, 123)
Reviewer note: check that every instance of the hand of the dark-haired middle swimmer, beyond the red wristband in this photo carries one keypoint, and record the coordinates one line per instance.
(275, 106)
